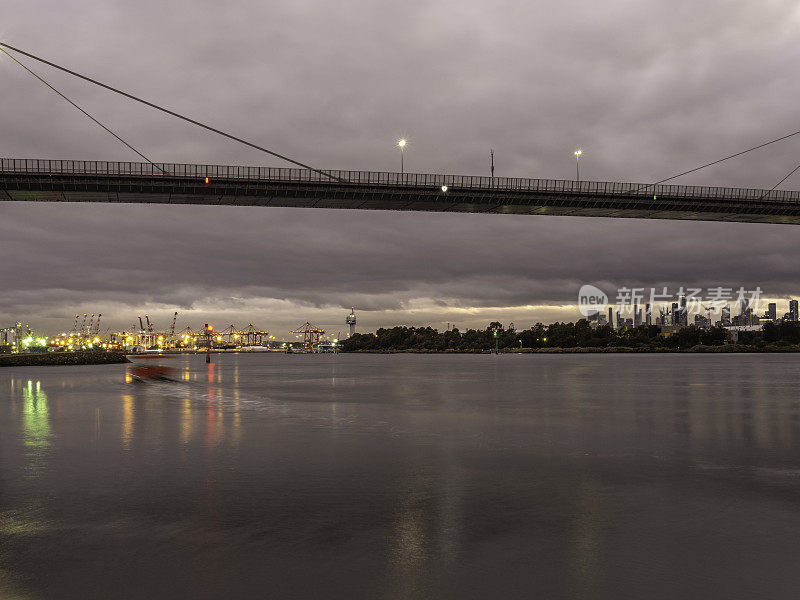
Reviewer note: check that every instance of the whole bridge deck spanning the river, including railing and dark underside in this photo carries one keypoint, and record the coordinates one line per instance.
(33, 180)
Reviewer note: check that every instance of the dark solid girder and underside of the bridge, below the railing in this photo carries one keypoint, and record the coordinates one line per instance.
(165, 189)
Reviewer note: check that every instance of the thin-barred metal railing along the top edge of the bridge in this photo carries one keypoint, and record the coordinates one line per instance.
(414, 180)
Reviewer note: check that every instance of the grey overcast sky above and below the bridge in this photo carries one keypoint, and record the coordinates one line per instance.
(647, 89)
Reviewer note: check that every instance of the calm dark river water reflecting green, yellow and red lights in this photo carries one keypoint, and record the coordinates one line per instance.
(404, 476)
